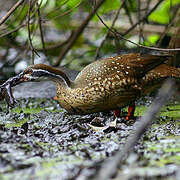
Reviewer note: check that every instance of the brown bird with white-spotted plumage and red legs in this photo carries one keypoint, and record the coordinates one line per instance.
(107, 84)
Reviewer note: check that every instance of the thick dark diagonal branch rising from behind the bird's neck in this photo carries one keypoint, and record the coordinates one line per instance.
(77, 33)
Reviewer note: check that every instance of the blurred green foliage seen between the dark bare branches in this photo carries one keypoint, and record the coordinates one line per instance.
(60, 19)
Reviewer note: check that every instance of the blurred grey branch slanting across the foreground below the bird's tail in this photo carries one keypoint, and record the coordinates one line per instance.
(109, 167)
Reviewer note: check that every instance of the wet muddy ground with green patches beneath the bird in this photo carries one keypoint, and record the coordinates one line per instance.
(39, 140)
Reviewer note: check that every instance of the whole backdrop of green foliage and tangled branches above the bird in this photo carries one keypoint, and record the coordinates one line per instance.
(73, 33)
